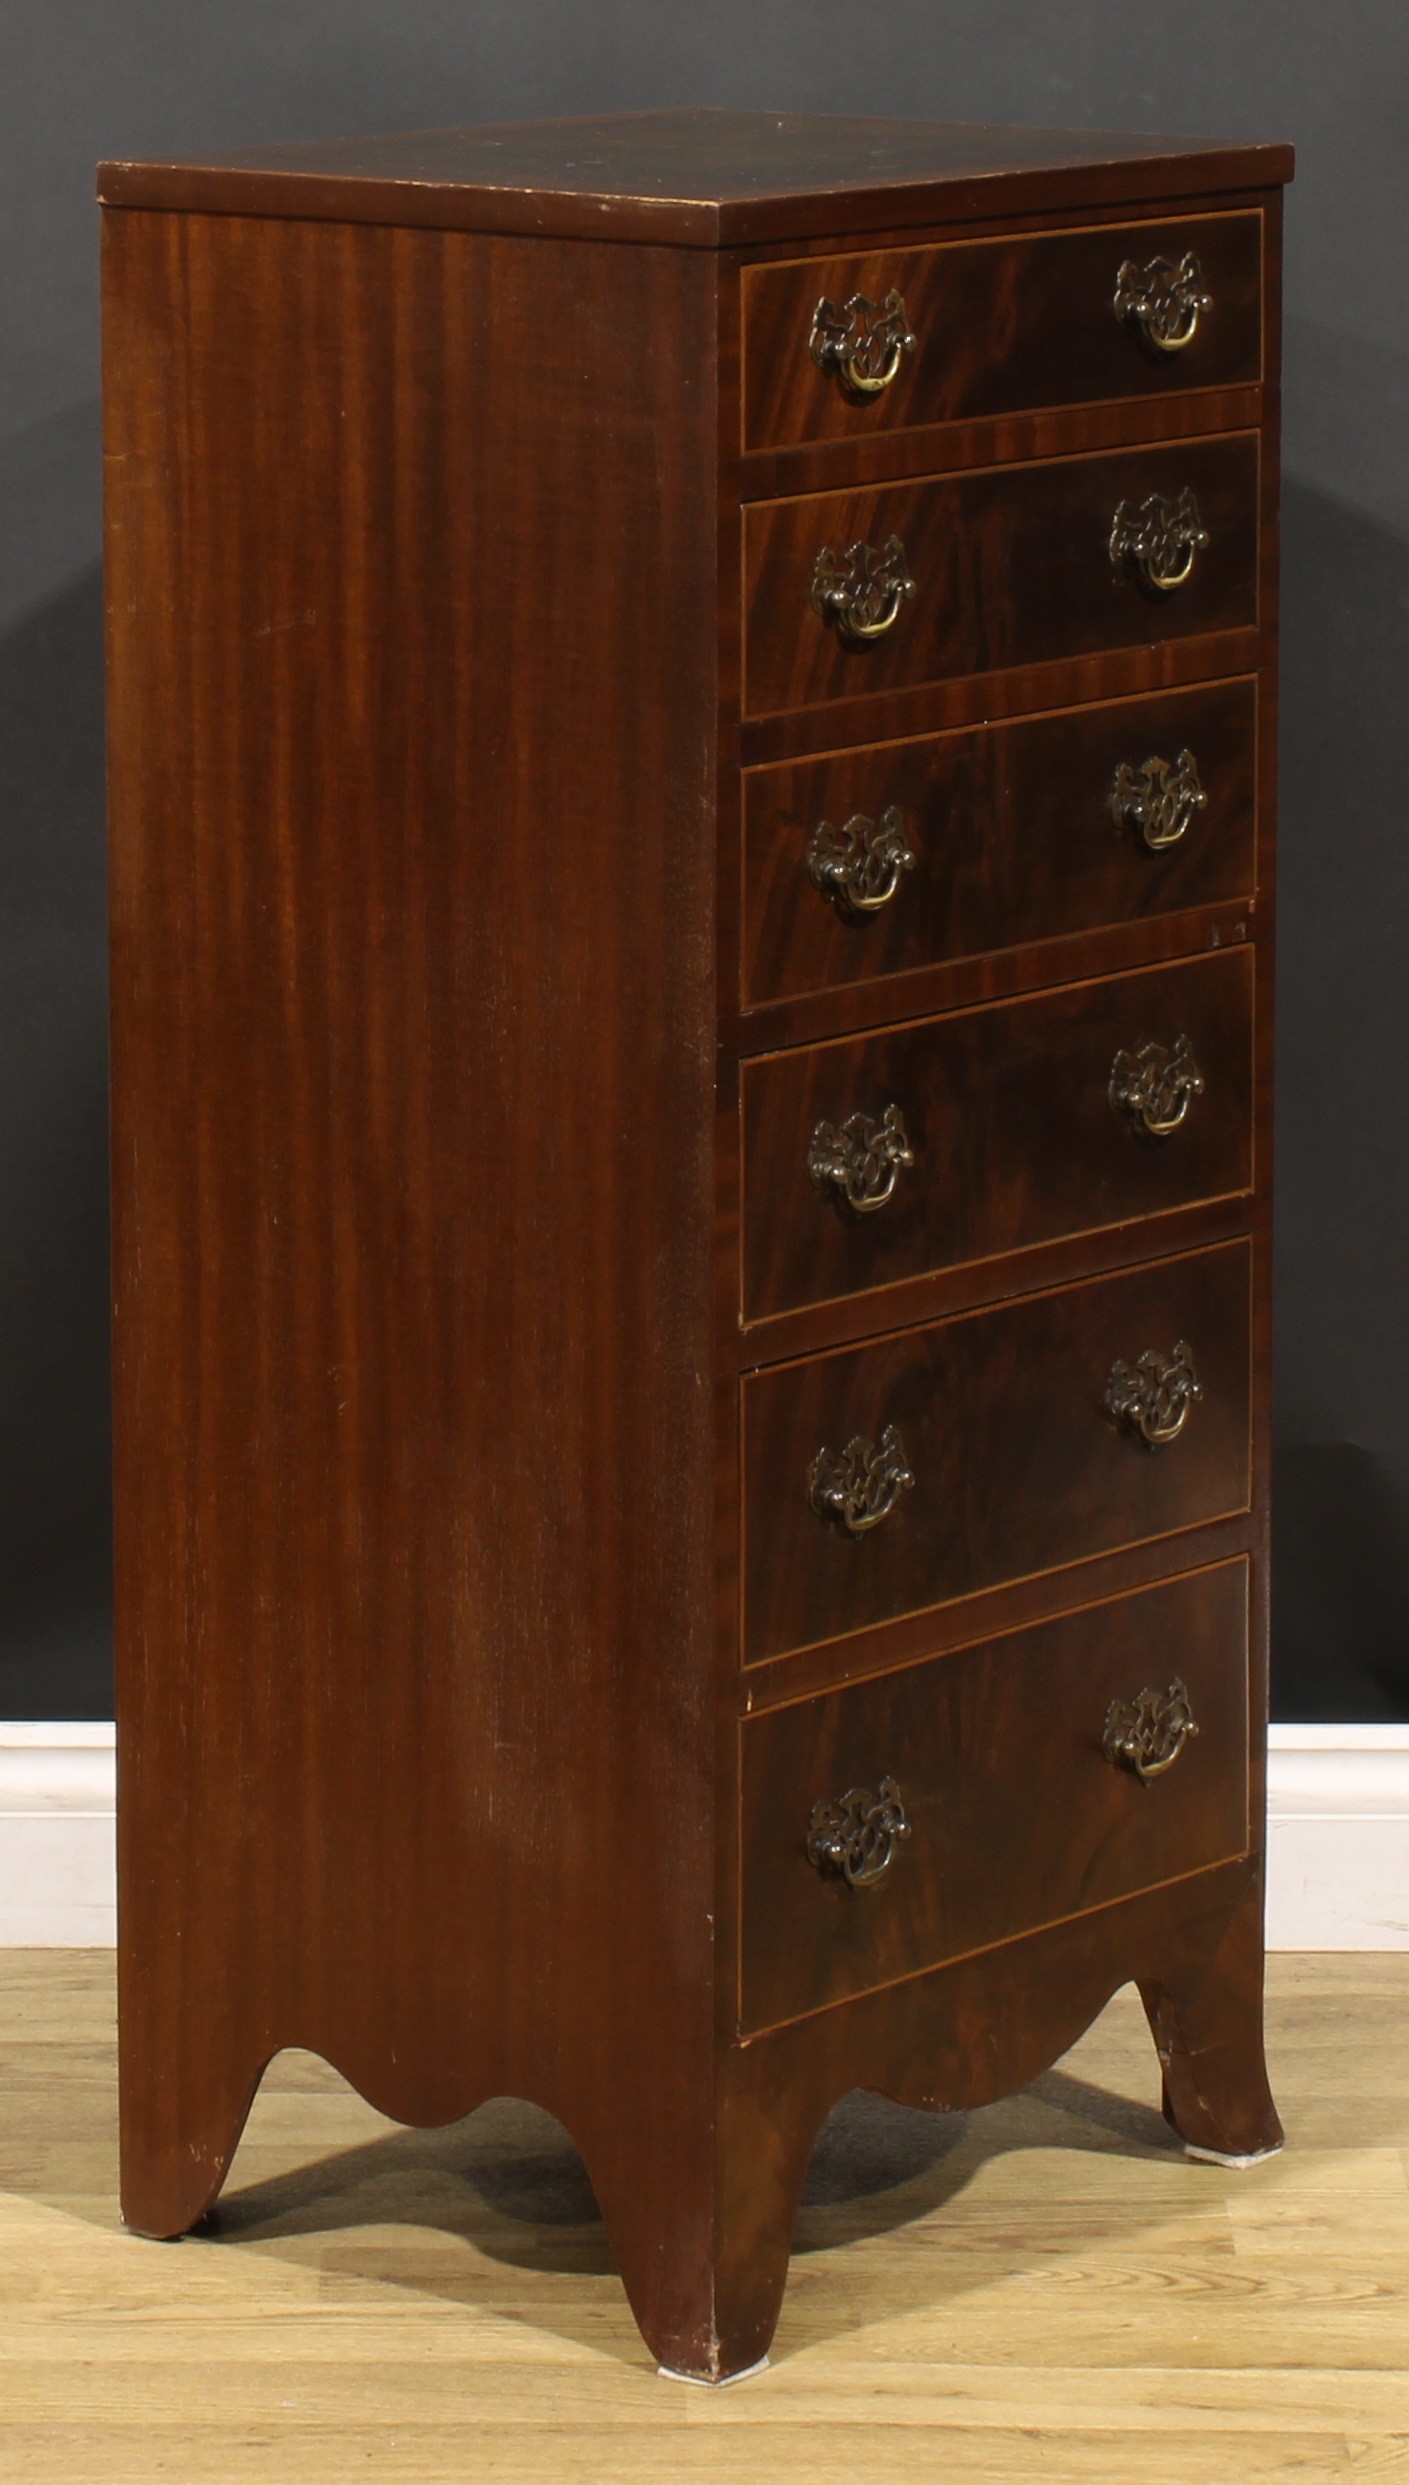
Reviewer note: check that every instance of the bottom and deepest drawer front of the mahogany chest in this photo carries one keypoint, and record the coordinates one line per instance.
(1005, 1808)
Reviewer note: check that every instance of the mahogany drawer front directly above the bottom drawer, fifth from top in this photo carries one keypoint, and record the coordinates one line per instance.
(1003, 1425)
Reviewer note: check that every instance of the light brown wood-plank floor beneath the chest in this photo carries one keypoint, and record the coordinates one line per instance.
(1042, 2290)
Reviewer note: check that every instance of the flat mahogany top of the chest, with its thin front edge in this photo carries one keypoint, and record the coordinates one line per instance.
(697, 175)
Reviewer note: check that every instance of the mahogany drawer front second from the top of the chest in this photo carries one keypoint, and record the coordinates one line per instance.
(1008, 568)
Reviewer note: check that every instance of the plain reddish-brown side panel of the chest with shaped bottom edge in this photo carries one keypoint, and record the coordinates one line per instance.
(414, 704)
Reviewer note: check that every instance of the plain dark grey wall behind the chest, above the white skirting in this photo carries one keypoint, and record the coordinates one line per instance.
(83, 78)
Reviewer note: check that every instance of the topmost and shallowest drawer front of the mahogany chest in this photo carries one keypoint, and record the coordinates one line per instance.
(1000, 327)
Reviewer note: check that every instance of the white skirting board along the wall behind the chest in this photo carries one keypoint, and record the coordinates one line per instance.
(1338, 1838)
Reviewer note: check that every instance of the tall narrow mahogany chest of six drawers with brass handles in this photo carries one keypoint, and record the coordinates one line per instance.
(692, 859)
